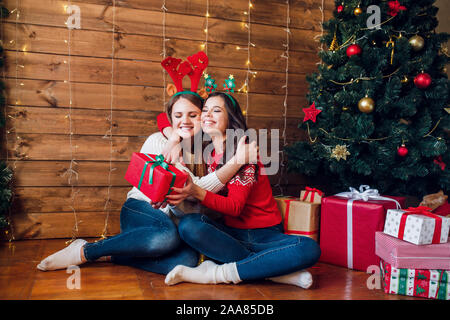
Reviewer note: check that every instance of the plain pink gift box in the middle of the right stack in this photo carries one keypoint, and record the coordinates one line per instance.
(402, 254)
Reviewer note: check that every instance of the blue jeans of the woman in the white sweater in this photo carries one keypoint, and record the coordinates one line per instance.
(148, 240)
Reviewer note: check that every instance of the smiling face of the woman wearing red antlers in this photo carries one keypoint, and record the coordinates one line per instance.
(185, 118)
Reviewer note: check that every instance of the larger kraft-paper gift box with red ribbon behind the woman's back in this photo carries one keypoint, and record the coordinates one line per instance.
(299, 218)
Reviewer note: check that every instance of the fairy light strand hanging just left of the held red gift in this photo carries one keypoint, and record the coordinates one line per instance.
(107, 206)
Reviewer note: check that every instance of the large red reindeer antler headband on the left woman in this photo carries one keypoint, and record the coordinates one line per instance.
(194, 68)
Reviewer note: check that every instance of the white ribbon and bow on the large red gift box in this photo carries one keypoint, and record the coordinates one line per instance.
(365, 194)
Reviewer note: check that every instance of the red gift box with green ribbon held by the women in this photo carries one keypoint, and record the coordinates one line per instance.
(154, 177)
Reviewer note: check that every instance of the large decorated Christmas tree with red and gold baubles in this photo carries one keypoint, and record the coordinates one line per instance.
(378, 110)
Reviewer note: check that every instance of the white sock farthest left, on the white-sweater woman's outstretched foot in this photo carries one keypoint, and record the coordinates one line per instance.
(69, 256)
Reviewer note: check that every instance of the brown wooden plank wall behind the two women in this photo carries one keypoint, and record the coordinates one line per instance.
(38, 144)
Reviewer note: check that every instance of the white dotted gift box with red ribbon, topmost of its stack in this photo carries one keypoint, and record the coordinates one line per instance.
(417, 225)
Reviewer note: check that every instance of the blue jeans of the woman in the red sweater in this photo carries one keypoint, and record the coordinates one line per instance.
(258, 253)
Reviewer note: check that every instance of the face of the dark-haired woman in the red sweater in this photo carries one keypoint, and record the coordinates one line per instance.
(214, 116)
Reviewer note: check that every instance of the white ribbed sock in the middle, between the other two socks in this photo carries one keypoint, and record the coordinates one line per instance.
(207, 272)
